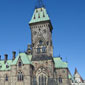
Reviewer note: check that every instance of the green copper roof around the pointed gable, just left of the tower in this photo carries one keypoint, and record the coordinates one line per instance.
(24, 57)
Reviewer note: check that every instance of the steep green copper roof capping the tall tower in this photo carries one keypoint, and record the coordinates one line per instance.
(40, 14)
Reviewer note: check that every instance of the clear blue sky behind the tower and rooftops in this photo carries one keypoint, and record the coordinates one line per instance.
(68, 20)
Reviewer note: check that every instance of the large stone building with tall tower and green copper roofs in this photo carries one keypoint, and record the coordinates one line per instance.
(36, 66)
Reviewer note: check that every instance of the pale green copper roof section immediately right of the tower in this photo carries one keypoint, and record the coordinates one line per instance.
(59, 63)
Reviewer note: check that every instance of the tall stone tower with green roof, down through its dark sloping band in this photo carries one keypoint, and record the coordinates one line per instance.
(41, 31)
